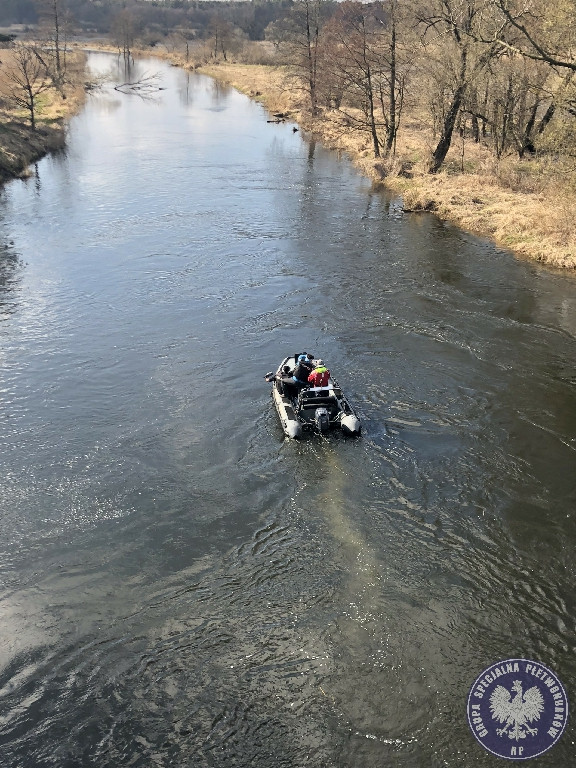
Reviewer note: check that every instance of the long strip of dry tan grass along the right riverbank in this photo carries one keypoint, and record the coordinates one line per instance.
(526, 206)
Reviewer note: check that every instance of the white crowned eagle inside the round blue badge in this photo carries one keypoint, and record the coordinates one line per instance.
(516, 712)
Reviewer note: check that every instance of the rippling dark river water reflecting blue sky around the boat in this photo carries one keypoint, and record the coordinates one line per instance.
(180, 585)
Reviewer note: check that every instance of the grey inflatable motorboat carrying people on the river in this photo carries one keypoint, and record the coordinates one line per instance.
(309, 408)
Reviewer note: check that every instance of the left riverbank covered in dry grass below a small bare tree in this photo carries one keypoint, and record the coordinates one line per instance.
(20, 146)
